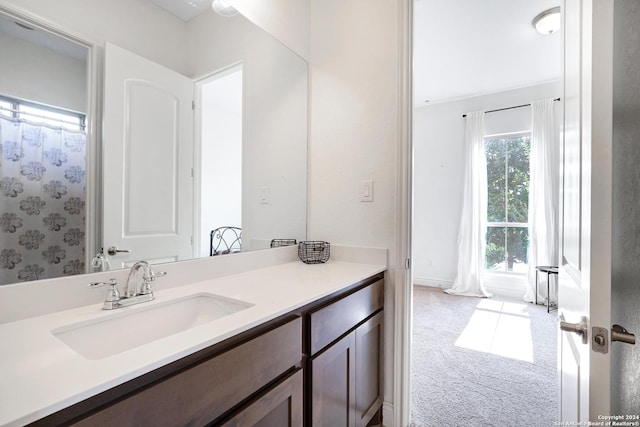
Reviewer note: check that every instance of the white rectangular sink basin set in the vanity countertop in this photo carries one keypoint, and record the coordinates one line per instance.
(131, 327)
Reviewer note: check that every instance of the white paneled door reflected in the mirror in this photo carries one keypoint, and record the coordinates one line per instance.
(147, 160)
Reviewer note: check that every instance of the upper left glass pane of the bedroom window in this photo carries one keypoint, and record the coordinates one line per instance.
(496, 206)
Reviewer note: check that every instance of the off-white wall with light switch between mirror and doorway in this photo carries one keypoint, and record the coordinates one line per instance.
(355, 133)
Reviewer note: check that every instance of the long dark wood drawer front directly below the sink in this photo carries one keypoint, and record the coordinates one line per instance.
(201, 394)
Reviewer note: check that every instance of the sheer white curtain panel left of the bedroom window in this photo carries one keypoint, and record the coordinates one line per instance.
(473, 223)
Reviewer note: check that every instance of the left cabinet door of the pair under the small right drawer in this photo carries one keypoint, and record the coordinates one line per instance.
(333, 385)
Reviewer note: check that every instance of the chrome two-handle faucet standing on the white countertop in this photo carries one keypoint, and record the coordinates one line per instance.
(131, 294)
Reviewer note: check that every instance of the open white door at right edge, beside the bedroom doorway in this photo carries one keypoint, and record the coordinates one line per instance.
(585, 265)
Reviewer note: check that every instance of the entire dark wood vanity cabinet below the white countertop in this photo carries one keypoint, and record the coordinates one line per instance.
(320, 365)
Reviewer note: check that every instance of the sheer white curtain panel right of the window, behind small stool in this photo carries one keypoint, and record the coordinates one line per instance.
(543, 199)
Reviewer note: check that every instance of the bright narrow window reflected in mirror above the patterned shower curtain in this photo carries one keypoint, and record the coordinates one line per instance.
(35, 113)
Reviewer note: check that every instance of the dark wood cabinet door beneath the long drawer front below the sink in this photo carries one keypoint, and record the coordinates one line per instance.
(281, 406)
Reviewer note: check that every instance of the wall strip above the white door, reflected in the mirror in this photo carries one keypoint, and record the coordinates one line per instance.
(136, 25)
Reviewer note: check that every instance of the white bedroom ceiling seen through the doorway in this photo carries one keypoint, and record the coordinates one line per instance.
(464, 48)
